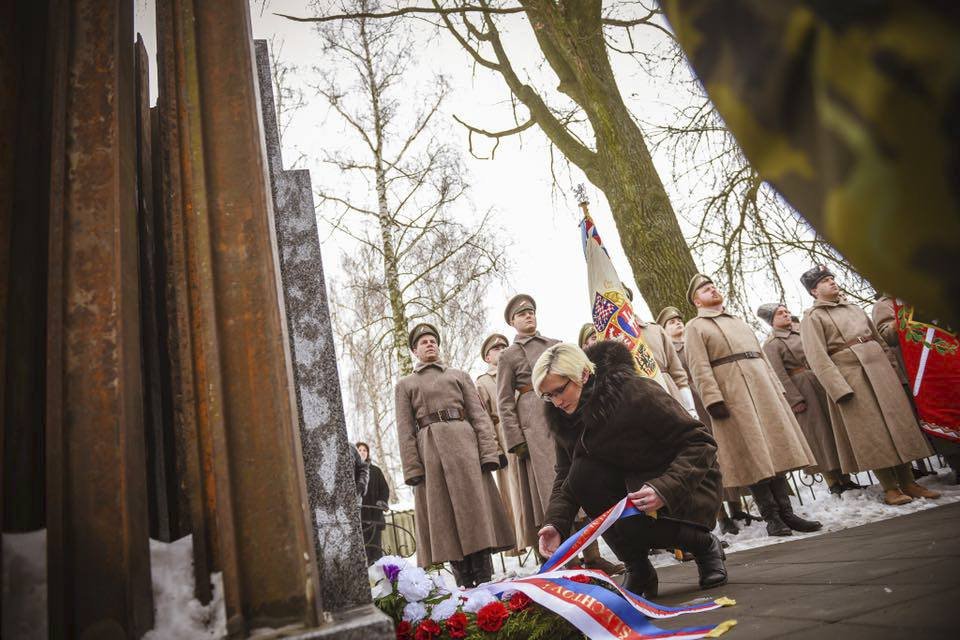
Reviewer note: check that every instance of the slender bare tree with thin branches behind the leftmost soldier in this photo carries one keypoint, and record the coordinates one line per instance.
(430, 265)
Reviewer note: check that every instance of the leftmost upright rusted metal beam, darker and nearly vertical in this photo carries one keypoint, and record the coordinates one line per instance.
(97, 533)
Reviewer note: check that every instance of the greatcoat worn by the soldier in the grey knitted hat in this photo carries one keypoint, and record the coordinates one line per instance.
(784, 350)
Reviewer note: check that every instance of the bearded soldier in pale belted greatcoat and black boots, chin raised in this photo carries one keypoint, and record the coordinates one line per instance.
(758, 438)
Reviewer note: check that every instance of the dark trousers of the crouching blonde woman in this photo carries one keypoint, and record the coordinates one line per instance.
(598, 487)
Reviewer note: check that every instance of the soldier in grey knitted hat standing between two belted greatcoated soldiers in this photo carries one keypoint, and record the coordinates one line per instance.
(806, 396)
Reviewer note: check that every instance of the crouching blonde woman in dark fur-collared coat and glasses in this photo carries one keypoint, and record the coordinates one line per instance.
(618, 433)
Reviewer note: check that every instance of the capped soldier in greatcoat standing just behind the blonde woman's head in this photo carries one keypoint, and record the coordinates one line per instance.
(521, 415)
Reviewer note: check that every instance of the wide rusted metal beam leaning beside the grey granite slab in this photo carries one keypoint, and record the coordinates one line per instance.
(243, 381)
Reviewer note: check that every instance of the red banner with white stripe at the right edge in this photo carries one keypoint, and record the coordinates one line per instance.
(930, 355)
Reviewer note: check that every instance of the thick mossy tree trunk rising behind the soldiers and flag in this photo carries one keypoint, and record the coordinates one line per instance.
(571, 38)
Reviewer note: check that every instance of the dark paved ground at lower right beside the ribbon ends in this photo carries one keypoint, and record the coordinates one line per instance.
(899, 578)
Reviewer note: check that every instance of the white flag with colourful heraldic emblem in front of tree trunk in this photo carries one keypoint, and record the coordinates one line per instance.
(613, 315)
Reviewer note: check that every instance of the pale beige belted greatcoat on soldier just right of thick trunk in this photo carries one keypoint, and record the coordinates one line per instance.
(761, 437)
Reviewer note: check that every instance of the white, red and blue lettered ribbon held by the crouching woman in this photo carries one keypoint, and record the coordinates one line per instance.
(597, 611)
